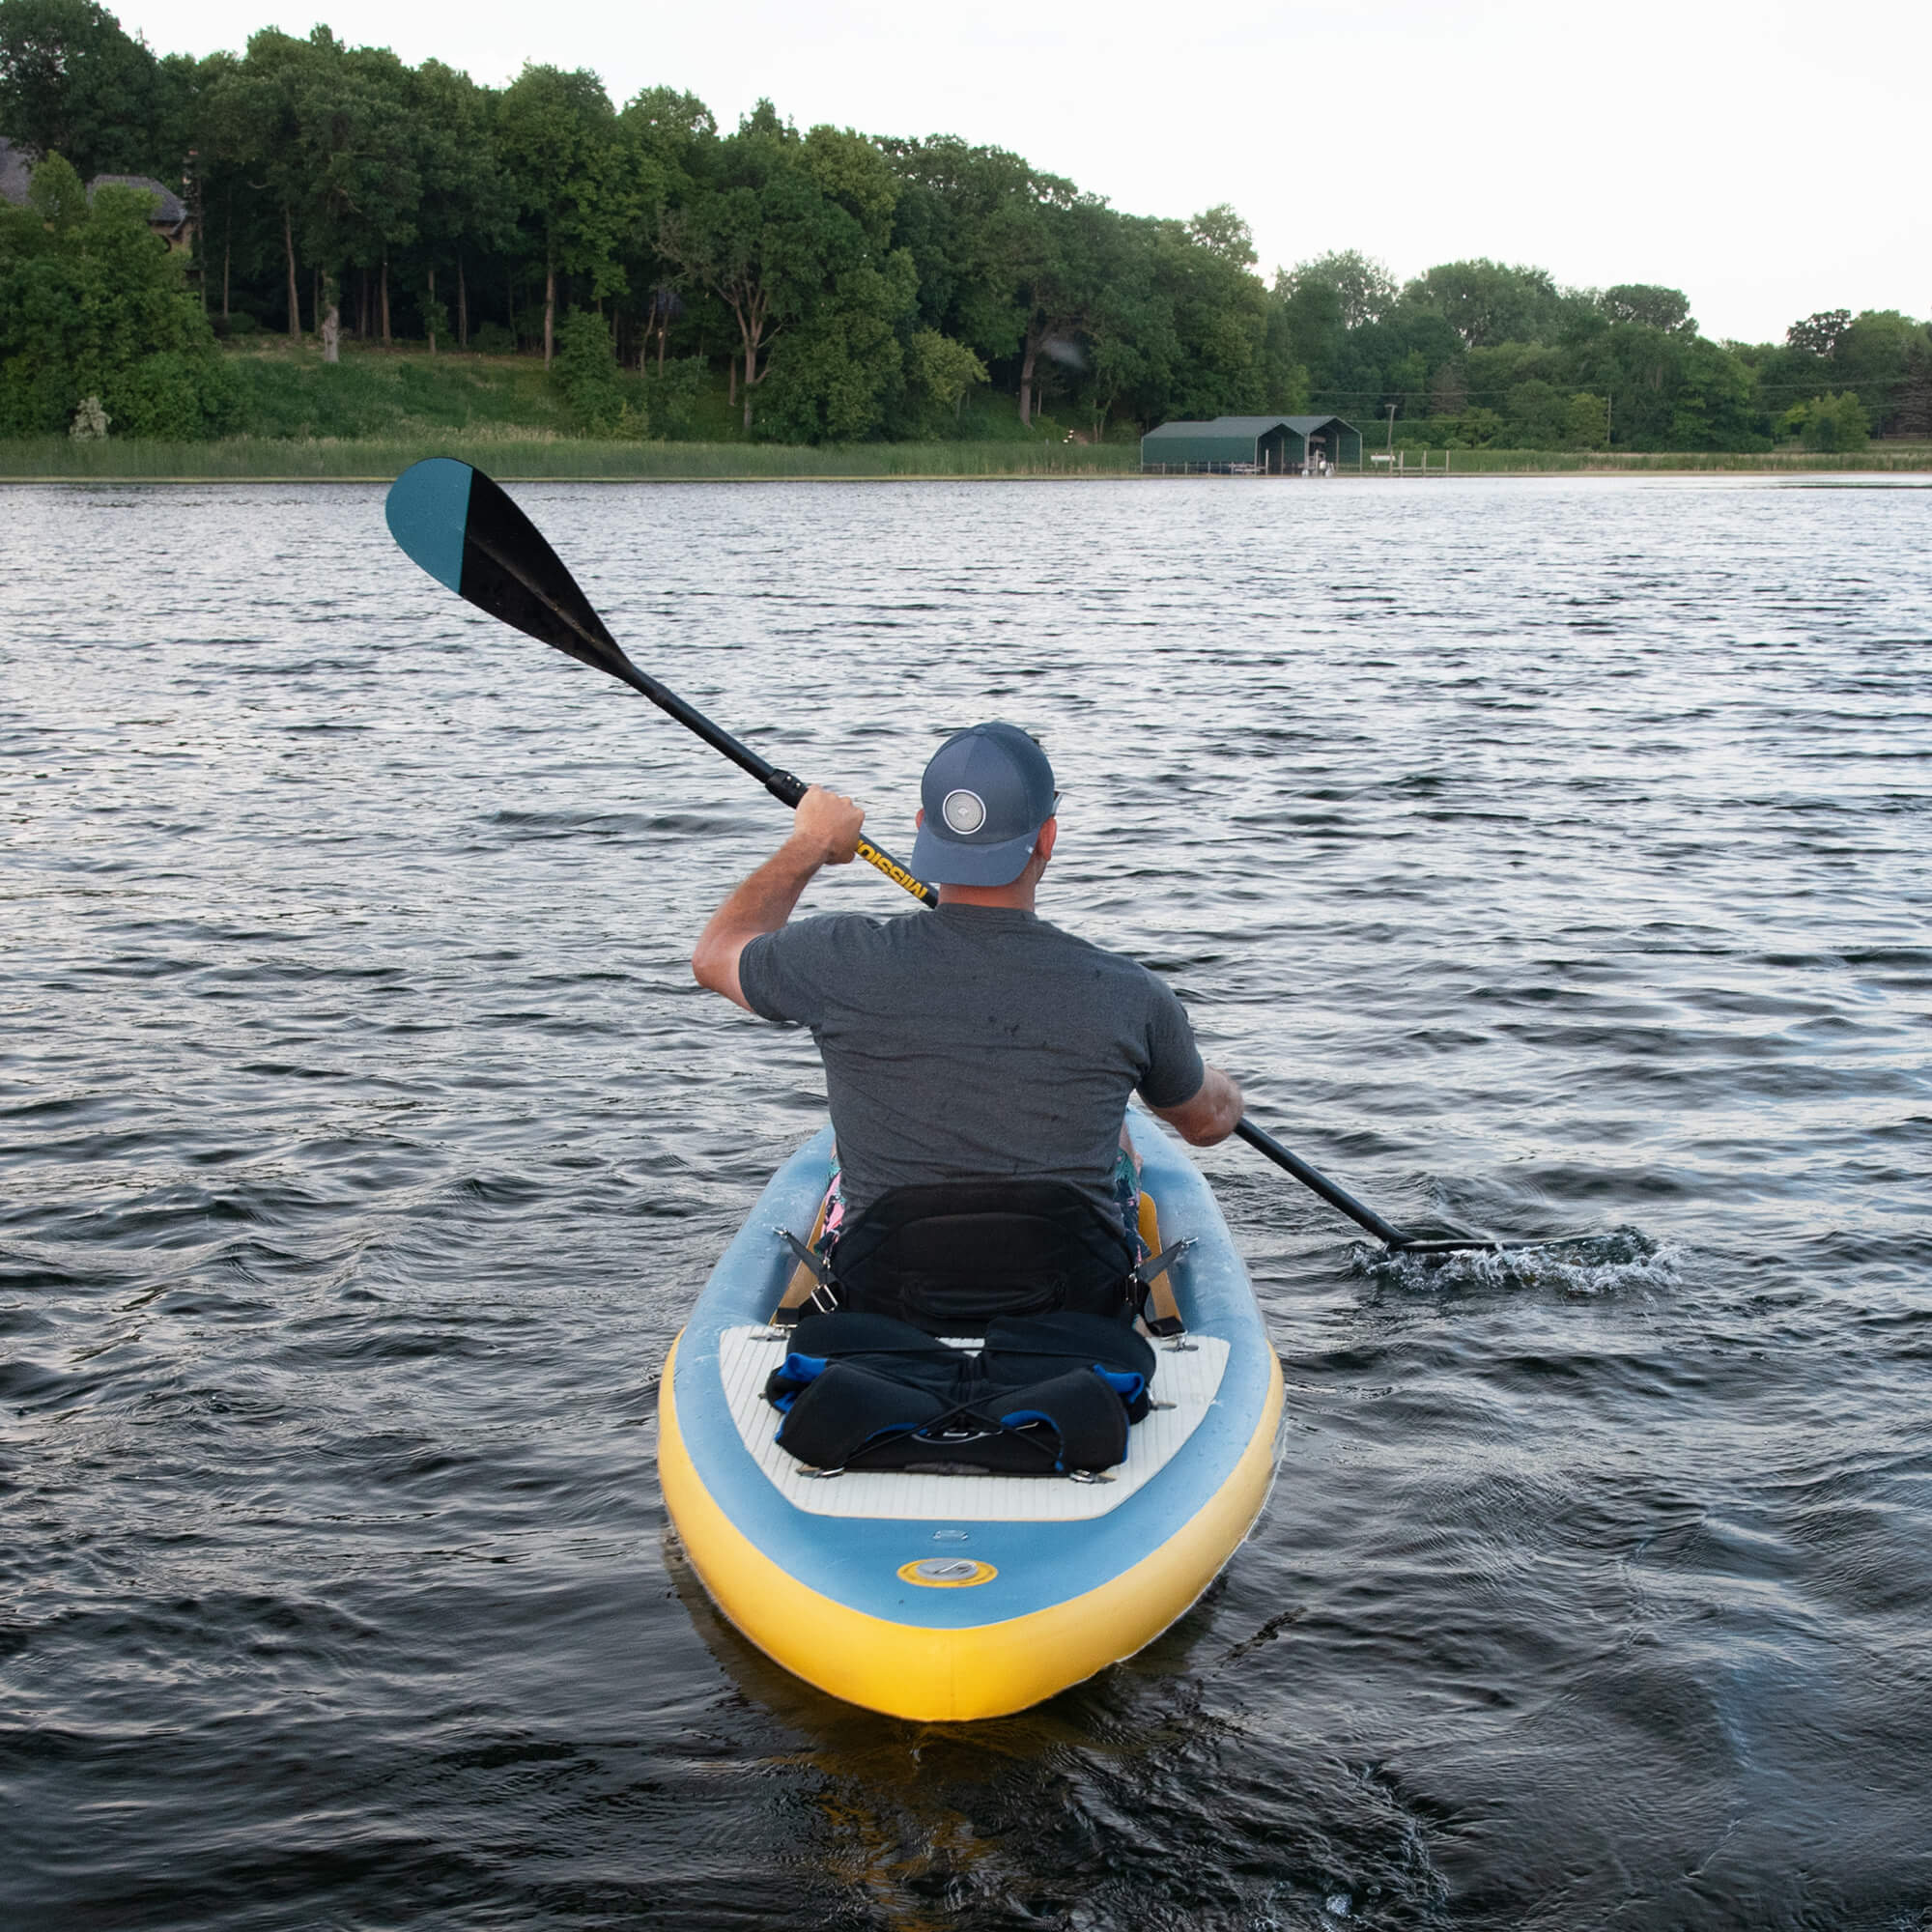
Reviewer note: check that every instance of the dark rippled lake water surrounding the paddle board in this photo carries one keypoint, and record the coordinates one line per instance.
(1545, 857)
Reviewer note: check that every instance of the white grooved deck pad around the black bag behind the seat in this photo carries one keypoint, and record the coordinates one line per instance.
(1189, 1378)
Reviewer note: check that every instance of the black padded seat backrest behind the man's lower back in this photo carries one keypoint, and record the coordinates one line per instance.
(955, 1255)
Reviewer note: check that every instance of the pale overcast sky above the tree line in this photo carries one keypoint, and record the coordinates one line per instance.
(1769, 159)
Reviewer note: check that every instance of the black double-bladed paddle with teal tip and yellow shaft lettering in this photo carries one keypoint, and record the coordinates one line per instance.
(469, 536)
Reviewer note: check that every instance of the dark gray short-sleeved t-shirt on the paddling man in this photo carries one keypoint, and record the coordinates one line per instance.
(973, 1040)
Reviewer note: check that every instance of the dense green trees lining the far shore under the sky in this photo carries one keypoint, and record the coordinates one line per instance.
(845, 287)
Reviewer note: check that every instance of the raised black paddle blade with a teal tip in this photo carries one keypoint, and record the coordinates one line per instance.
(467, 534)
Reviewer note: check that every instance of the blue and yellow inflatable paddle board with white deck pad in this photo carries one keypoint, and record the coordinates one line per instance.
(957, 1597)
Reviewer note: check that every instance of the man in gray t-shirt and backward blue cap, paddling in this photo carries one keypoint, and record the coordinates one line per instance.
(975, 1040)
